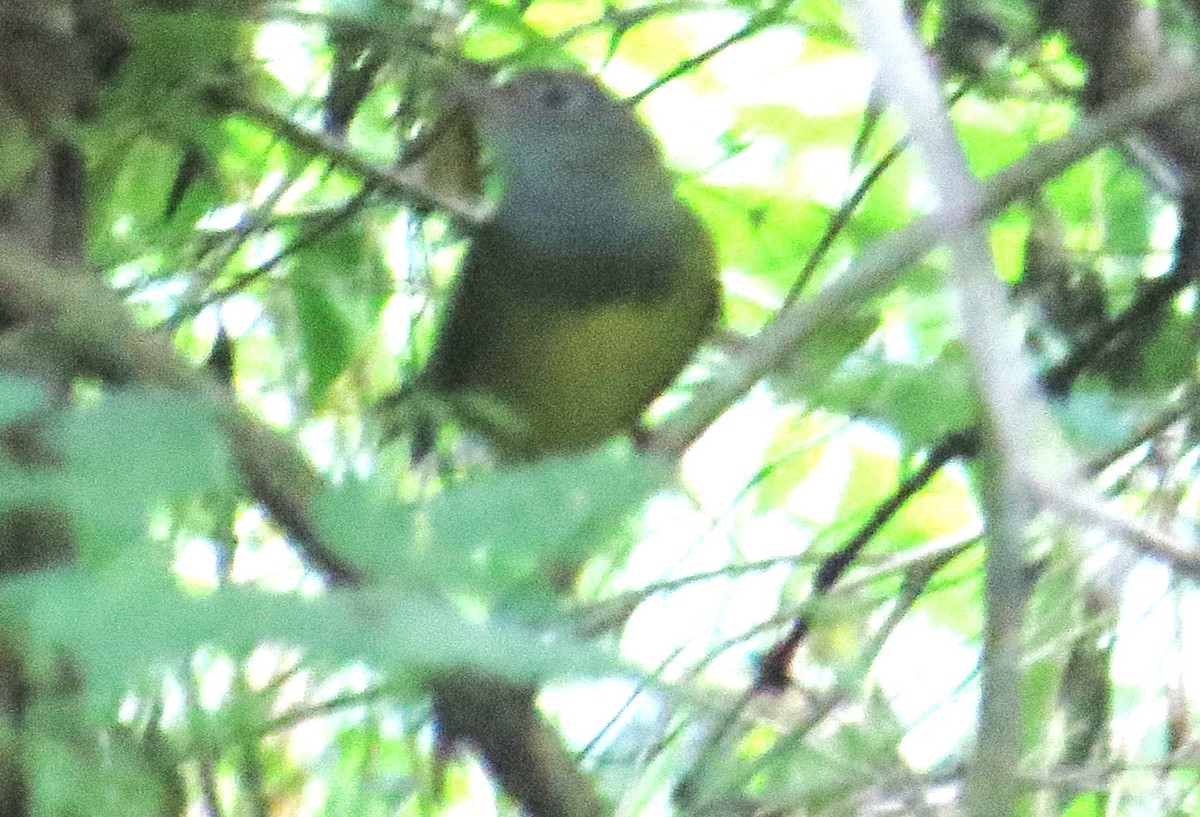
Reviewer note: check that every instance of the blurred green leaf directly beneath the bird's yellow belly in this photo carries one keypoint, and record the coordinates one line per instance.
(499, 532)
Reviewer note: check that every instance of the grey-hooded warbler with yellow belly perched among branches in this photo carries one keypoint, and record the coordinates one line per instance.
(590, 289)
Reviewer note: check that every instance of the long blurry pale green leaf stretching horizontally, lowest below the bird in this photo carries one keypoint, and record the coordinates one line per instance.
(113, 623)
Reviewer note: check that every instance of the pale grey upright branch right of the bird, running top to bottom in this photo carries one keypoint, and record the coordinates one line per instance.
(1022, 436)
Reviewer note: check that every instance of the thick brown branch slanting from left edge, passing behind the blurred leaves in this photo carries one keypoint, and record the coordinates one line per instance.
(91, 329)
